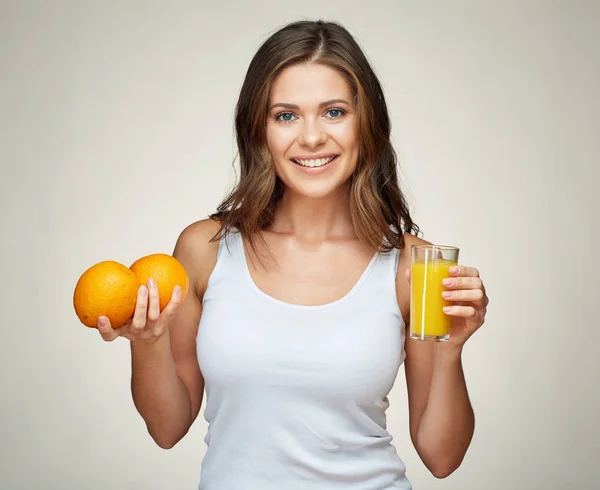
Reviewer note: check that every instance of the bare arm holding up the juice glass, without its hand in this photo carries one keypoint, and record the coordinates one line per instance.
(441, 417)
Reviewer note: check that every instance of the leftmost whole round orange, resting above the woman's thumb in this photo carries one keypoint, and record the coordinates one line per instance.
(107, 288)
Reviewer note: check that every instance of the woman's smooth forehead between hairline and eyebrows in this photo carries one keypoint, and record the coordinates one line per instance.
(309, 84)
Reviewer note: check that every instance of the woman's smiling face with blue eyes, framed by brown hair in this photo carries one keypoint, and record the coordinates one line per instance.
(311, 130)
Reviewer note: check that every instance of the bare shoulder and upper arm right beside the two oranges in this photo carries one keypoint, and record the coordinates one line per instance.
(197, 251)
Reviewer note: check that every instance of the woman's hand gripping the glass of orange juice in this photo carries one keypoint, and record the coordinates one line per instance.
(465, 290)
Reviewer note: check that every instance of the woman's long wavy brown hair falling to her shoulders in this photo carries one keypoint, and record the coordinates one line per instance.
(379, 210)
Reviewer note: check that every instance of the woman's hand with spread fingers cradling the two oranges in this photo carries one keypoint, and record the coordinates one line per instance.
(148, 322)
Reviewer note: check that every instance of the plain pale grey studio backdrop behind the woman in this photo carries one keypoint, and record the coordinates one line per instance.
(116, 132)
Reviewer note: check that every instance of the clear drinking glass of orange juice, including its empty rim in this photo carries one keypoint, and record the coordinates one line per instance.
(430, 264)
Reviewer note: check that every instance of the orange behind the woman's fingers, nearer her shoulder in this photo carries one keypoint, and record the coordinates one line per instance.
(166, 270)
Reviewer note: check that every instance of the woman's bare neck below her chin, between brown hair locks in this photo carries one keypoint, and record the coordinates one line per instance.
(314, 219)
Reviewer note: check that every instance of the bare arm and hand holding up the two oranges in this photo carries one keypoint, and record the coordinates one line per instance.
(166, 382)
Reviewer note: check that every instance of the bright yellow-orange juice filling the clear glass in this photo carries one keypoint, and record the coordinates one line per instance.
(427, 318)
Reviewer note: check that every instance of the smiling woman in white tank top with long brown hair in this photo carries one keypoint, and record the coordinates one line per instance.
(295, 325)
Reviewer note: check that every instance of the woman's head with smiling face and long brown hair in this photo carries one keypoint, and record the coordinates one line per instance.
(310, 94)
